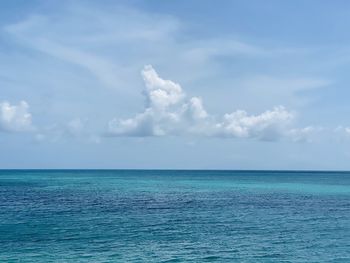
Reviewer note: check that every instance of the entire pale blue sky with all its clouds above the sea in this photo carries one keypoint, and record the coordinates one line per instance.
(175, 84)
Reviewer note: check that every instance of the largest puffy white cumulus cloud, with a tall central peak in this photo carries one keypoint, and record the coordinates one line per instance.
(169, 112)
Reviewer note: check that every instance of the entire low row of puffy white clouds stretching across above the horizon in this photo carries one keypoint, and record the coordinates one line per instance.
(169, 111)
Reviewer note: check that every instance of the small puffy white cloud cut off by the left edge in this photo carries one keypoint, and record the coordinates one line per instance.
(15, 118)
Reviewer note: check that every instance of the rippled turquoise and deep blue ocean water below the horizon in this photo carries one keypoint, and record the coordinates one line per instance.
(174, 216)
